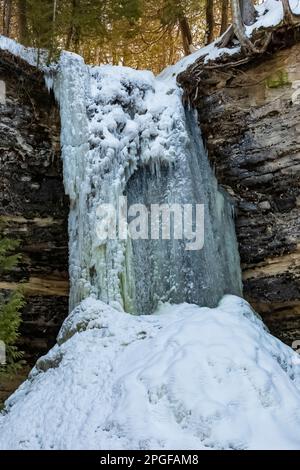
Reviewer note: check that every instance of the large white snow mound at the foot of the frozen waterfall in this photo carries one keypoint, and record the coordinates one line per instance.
(184, 378)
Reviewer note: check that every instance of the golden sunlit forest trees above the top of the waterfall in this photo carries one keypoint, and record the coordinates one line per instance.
(144, 34)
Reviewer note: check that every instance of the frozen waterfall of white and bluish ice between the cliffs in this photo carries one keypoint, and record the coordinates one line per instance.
(126, 133)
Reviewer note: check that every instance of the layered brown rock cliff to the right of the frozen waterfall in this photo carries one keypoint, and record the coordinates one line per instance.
(250, 117)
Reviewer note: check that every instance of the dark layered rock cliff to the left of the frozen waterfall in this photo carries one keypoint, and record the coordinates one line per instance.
(33, 207)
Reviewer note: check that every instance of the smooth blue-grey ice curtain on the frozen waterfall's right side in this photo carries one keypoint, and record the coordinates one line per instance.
(165, 270)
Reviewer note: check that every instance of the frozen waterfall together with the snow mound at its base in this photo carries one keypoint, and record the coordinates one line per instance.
(186, 377)
